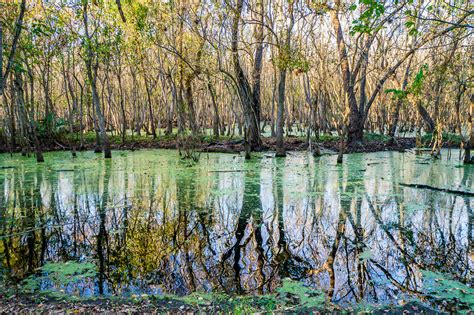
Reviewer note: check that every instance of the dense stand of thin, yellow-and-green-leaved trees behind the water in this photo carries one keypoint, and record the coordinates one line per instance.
(76, 68)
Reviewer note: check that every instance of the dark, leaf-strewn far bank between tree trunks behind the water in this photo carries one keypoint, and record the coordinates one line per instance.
(328, 145)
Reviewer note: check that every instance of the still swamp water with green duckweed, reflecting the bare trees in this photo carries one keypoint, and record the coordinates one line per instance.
(147, 223)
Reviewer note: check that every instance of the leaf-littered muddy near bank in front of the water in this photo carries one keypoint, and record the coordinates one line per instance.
(37, 304)
